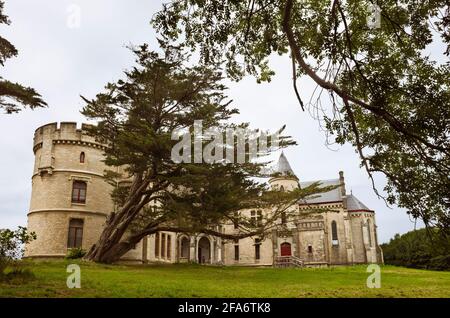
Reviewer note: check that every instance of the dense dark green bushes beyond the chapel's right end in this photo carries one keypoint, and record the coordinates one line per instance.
(419, 249)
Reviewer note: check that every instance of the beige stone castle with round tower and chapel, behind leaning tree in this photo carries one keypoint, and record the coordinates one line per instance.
(70, 202)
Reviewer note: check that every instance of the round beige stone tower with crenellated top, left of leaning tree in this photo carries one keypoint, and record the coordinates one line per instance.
(70, 198)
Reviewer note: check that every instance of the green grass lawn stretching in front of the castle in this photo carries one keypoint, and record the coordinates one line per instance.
(207, 281)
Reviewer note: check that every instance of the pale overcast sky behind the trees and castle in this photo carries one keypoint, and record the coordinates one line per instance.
(63, 61)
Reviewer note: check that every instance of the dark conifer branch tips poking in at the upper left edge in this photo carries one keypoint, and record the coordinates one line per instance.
(13, 96)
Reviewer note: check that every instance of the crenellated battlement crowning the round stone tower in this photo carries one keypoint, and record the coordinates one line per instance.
(65, 132)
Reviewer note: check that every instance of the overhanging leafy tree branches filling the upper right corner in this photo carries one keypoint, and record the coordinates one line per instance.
(378, 87)
